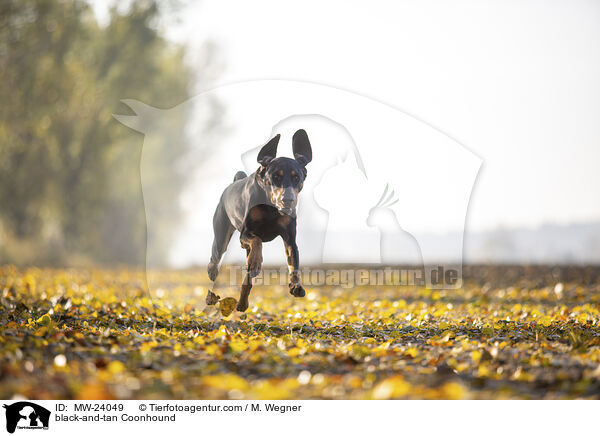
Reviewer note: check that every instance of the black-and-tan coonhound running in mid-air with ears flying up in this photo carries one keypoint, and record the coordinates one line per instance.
(261, 207)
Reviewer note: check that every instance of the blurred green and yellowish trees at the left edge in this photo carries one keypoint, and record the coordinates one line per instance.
(69, 174)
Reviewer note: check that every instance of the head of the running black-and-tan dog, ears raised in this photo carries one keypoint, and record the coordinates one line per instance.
(282, 178)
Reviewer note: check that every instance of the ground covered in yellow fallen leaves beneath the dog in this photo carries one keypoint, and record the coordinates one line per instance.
(509, 333)
